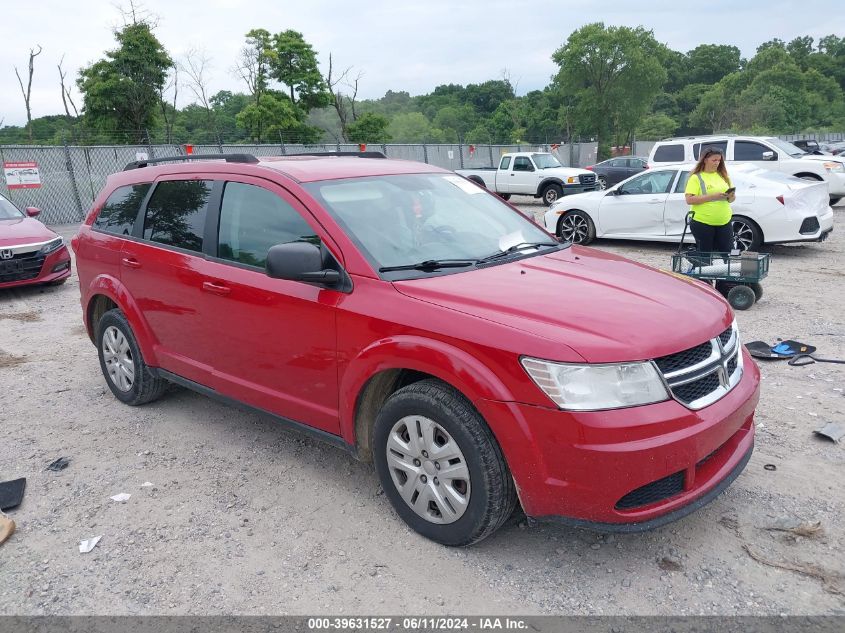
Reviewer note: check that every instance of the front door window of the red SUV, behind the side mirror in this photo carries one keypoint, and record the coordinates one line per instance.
(252, 220)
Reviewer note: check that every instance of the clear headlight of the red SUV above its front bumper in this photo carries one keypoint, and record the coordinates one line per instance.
(597, 387)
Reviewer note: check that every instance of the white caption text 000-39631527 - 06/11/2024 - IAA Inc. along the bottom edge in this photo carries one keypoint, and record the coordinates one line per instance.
(416, 623)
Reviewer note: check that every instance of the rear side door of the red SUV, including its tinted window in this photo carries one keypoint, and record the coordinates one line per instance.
(160, 269)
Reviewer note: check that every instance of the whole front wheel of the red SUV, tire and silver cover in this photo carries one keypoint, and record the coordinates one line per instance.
(430, 417)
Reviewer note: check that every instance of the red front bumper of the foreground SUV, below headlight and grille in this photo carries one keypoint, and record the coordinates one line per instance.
(635, 468)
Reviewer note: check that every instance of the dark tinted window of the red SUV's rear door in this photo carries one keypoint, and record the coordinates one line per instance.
(176, 213)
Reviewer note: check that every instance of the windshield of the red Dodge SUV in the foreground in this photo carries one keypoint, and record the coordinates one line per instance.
(408, 219)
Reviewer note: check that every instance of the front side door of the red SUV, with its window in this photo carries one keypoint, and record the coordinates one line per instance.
(271, 342)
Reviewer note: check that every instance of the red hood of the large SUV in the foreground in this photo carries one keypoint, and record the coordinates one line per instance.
(604, 307)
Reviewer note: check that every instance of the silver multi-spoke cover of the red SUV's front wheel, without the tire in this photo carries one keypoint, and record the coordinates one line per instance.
(428, 469)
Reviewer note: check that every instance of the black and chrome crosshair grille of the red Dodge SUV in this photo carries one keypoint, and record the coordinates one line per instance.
(701, 375)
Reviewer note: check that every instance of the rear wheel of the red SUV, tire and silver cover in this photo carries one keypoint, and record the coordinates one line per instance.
(127, 375)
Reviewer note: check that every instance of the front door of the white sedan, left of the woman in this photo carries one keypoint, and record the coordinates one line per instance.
(635, 208)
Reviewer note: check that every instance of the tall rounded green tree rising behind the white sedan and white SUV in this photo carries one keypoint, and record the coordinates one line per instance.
(614, 73)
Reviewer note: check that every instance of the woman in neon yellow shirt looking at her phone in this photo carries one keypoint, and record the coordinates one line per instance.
(709, 193)
